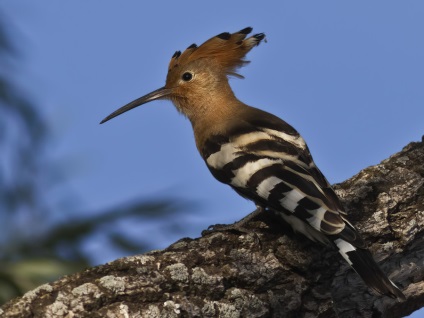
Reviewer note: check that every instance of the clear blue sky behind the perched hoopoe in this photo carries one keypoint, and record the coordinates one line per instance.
(348, 75)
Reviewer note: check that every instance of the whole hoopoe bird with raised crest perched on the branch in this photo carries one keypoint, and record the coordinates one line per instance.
(257, 154)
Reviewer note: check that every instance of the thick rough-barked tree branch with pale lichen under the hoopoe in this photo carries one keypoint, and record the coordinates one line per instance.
(269, 273)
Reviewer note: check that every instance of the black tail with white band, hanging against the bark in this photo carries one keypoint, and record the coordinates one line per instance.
(361, 260)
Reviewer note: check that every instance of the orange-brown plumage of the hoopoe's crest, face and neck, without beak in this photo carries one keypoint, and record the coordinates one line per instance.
(207, 100)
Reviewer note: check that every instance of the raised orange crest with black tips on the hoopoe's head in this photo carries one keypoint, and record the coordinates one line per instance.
(226, 50)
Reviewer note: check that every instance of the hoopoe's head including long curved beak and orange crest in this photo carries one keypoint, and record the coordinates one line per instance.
(199, 72)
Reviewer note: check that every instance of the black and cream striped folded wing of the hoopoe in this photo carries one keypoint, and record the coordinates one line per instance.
(275, 169)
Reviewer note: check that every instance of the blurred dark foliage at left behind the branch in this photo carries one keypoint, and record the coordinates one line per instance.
(35, 247)
